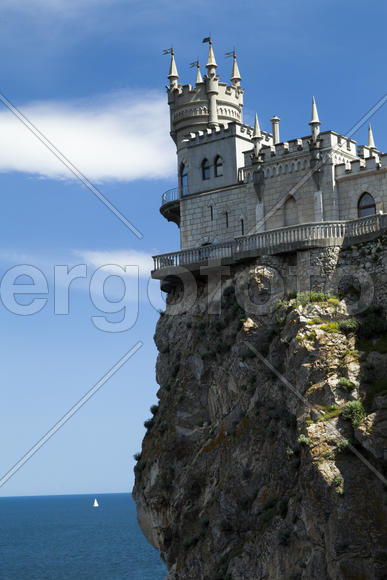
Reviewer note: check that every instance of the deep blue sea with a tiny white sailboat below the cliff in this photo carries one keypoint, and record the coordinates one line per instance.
(63, 537)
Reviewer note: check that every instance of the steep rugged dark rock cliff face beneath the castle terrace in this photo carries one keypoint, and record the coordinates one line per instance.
(265, 455)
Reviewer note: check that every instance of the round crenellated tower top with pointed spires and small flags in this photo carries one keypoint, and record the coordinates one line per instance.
(211, 103)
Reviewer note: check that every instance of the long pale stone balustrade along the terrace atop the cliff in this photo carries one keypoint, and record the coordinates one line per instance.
(282, 239)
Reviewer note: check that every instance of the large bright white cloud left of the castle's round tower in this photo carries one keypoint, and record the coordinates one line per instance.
(122, 136)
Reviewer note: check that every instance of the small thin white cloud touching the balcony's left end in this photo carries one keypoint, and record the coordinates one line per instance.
(122, 258)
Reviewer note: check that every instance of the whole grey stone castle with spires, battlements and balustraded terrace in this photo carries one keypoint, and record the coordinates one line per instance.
(241, 189)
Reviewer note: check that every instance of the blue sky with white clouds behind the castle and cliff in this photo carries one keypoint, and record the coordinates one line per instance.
(90, 75)
